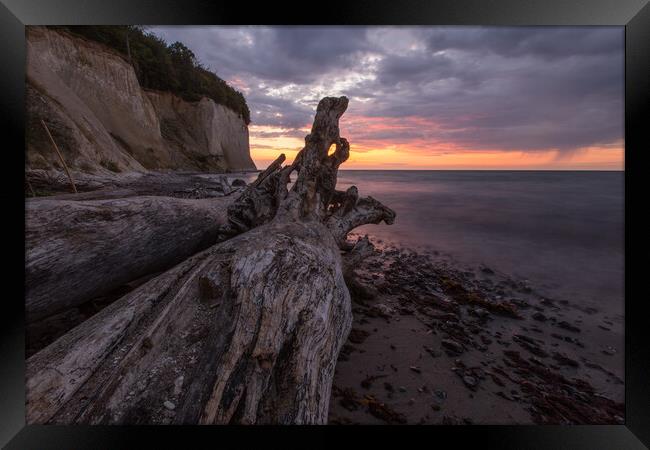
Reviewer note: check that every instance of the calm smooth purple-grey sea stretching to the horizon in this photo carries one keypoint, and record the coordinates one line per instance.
(563, 231)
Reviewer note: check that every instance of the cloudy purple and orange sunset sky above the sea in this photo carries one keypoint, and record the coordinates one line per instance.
(429, 97)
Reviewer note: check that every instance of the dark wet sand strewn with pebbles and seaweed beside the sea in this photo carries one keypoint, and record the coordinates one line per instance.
(437, 342)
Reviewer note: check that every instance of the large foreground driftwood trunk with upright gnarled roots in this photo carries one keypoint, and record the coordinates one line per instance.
(247, 331)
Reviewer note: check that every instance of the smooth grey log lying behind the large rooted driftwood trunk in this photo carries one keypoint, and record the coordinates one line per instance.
(78, 250)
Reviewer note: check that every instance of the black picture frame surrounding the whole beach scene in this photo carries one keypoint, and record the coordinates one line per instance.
(634, 15)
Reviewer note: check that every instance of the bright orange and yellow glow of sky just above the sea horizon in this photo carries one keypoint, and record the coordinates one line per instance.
(268, 142)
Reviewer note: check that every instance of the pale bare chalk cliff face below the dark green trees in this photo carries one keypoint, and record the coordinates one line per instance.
(103, 120)
